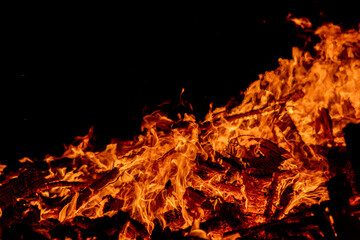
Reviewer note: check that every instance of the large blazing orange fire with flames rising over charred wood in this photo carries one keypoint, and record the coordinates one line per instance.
(262, 160)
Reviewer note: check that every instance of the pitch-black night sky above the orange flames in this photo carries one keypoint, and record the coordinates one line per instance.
(73, 67)
